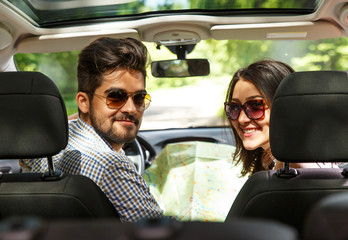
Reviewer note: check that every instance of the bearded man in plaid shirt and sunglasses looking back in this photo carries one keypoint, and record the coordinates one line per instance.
(111, 101)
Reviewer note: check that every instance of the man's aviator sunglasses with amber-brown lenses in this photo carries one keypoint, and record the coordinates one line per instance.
(118, 98)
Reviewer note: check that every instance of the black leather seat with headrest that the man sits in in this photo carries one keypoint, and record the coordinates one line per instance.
(33, 124)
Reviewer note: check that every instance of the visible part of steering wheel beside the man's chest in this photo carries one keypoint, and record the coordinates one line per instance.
(135, 153)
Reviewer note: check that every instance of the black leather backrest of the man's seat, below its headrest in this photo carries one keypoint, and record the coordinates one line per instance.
(27, 194)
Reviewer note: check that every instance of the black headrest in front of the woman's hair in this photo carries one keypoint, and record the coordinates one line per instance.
(309, 117)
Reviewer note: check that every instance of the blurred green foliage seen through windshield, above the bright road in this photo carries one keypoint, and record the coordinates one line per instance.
(225, 58)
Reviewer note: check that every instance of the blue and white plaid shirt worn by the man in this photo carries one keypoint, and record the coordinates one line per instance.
(88, 154)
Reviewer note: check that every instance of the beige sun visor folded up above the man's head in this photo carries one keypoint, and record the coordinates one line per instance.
(69, 41)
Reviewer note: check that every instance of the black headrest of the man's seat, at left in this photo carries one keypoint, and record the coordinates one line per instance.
(33, 119)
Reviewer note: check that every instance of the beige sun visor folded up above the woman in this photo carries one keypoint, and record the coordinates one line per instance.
(277, 31)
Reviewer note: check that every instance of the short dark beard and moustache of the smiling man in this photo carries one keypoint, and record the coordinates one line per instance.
(109, 133)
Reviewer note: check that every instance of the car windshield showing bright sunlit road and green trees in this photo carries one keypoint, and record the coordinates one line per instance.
(197, 101)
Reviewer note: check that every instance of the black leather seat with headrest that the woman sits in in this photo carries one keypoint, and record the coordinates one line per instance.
(308, 124)
